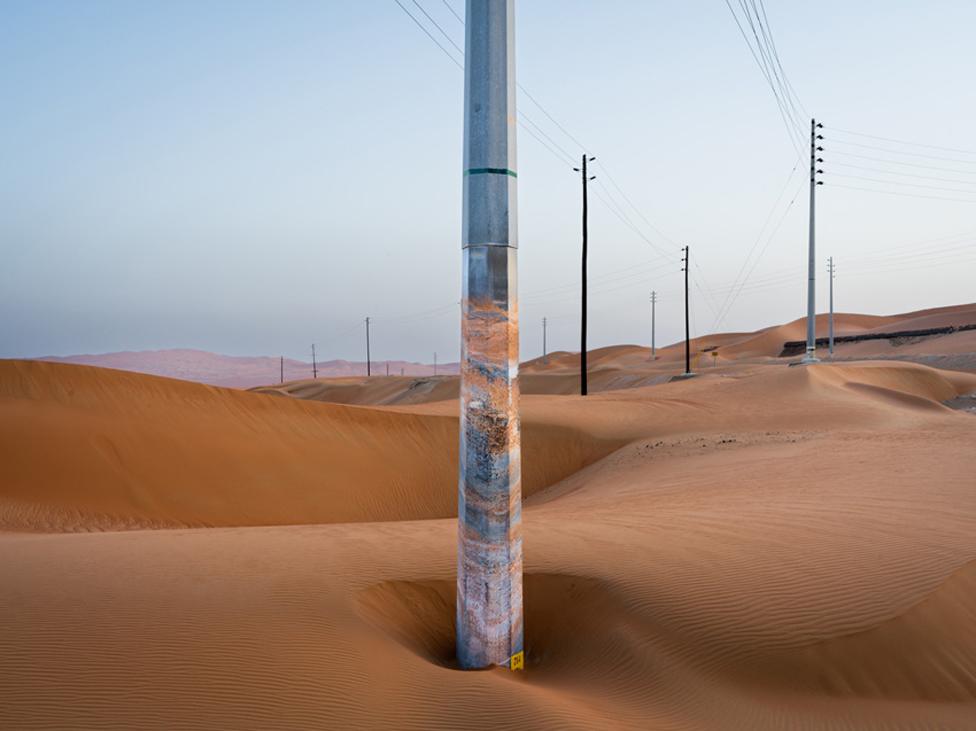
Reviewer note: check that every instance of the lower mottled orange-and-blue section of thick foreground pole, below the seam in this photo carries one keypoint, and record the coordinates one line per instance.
(489, 582)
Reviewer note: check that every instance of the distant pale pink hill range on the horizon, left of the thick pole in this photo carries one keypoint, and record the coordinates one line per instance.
(239, 371)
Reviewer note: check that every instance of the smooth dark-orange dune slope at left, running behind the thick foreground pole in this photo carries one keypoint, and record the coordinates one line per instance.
(135, 451)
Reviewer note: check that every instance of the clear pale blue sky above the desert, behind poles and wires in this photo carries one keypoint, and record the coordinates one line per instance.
(252, 177)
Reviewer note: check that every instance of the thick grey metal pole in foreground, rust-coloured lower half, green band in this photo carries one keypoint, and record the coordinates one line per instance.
(489, 581)
